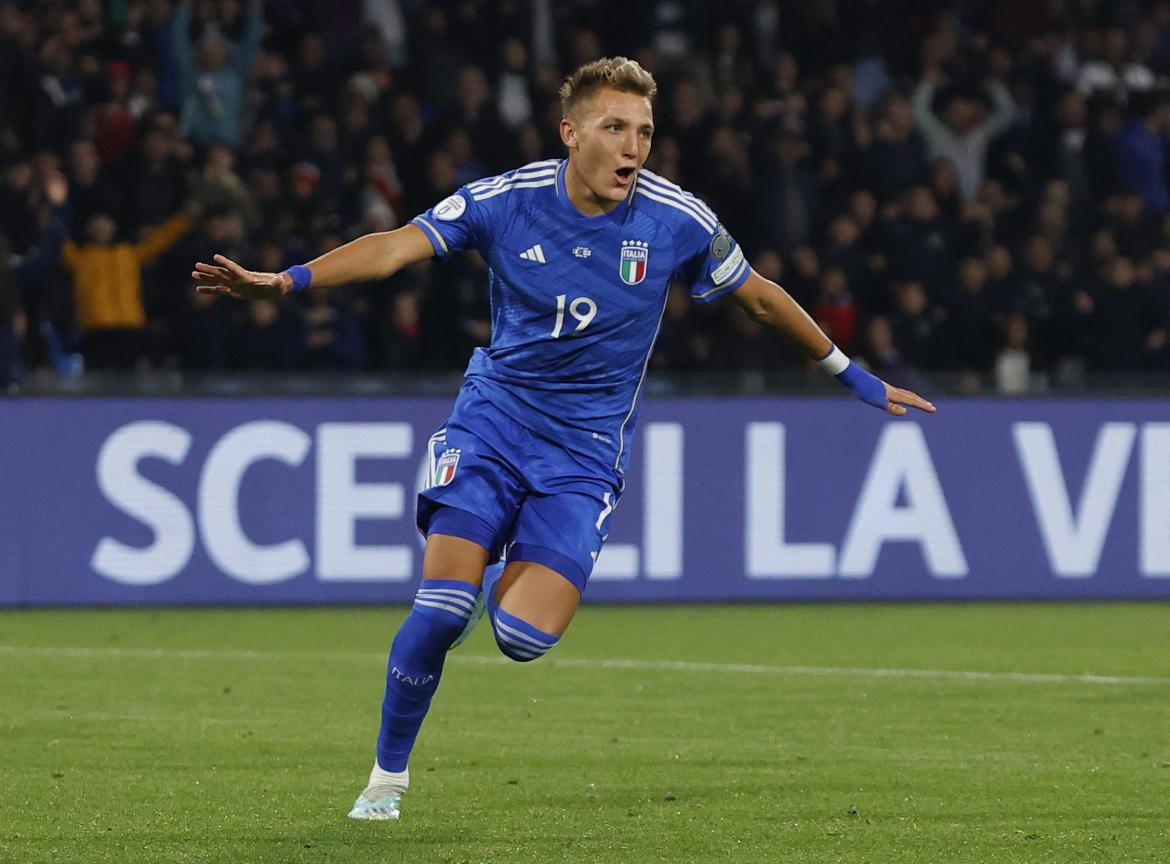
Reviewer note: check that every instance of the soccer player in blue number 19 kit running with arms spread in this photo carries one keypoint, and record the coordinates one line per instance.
(531, 464)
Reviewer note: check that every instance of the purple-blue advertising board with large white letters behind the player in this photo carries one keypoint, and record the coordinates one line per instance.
(312, 502)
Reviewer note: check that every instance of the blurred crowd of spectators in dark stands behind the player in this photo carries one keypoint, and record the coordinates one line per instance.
(981, 190)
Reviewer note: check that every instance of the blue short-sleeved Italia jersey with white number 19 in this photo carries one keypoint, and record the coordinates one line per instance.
(577, 301)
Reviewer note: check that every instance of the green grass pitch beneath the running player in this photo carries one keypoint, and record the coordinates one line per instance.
(235, 736)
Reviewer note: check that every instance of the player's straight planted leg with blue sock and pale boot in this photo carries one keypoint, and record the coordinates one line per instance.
(452, 577)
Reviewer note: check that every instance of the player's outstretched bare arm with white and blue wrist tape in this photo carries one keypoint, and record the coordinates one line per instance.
(767, 304)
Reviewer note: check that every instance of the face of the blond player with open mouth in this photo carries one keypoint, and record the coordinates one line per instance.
(609, 139)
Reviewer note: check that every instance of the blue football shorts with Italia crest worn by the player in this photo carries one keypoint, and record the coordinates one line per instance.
(521, 497)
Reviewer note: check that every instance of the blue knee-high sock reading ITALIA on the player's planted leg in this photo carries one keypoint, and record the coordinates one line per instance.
(441, 612)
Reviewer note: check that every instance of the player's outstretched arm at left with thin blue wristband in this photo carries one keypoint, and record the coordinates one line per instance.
(368, 258)
